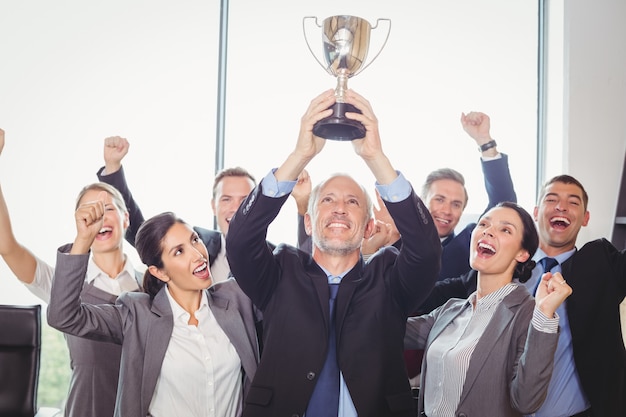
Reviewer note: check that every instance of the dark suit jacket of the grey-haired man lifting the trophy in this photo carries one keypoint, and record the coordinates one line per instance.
(373, 303)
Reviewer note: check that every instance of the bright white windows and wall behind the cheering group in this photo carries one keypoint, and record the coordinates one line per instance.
(76, 72)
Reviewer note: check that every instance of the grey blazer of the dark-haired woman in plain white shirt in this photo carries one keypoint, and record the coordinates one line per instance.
(143, 327)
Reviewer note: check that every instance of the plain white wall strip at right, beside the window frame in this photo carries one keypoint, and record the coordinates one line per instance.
(594, 112)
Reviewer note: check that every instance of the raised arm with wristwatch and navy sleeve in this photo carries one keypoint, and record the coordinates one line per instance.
(497, 176)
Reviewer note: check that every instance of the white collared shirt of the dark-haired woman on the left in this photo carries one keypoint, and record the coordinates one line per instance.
(201, 373)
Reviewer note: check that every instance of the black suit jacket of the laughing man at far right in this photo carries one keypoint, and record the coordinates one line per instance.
(597, 275)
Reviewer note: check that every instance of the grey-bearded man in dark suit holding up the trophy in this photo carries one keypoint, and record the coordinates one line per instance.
(294, 288)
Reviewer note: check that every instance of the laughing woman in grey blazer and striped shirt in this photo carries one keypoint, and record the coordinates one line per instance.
(492, 354)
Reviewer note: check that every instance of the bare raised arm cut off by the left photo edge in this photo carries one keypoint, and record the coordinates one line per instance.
(21, 261)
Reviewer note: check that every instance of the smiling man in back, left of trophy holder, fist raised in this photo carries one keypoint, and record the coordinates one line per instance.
(230, 187)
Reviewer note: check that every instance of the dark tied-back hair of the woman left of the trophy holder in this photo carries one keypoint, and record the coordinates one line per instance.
(149, 245)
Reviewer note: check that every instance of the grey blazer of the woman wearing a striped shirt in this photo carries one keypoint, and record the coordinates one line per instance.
(510, 368)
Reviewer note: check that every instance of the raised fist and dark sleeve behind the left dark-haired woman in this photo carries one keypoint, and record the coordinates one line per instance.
(112, 173)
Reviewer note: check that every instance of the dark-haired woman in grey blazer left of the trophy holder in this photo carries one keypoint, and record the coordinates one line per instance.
(188, 349)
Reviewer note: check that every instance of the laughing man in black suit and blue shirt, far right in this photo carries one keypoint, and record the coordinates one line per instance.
(589, 377)
